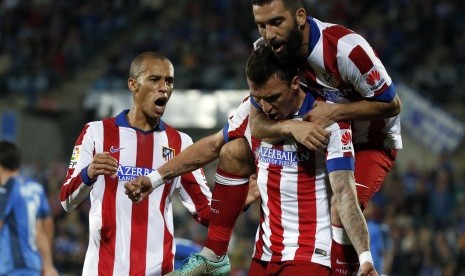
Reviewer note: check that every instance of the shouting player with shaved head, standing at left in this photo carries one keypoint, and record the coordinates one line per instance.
(127, 238)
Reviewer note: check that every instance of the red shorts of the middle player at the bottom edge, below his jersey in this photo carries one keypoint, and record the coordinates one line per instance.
(287, 268)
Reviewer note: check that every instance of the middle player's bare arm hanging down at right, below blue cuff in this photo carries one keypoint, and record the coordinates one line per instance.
(350, 214)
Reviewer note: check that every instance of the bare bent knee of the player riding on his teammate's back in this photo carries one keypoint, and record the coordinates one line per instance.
(236, 158)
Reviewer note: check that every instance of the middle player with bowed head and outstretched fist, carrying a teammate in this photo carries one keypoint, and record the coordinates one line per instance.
(290, 178)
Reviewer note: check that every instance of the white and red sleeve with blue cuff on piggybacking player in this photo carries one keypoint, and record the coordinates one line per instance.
(361, 67)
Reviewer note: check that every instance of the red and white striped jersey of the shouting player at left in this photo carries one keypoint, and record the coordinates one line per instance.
(127, 238)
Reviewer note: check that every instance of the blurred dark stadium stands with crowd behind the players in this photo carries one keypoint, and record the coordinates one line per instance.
(63, 63)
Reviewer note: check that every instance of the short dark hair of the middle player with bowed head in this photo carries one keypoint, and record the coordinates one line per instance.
(262, 64)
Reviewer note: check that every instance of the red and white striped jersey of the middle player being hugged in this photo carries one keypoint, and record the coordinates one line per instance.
(294, 221)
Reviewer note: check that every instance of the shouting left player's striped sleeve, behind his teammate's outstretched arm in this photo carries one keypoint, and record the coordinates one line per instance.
(193, 190)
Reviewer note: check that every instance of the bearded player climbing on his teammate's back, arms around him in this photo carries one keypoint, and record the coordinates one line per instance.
(339, 65)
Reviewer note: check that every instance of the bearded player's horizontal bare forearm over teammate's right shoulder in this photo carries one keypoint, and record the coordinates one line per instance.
(324, 114)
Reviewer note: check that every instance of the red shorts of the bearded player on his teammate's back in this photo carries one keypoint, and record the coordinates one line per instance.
(371, 167)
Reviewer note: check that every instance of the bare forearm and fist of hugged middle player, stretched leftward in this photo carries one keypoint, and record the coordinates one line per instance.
(193, 157)
